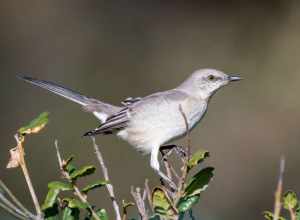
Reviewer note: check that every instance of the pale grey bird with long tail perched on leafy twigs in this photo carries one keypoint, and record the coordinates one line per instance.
(149, 122)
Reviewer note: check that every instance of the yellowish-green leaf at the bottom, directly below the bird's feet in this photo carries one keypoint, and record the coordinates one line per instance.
(161, 203)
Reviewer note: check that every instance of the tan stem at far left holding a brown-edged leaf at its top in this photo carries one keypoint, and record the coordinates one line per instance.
(27, 177)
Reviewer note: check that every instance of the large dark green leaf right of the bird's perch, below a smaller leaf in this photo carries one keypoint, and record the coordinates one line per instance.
(199, 181)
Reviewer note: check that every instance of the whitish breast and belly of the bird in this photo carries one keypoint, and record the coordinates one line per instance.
(157, 125)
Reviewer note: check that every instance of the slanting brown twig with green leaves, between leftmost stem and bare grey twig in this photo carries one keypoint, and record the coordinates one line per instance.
(75, 188)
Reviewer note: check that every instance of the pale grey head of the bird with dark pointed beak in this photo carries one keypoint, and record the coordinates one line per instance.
(205, 82)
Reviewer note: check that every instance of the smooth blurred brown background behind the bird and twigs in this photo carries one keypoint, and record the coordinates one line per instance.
(114, 49)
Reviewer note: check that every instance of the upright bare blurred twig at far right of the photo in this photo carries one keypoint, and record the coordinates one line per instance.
(278, 192)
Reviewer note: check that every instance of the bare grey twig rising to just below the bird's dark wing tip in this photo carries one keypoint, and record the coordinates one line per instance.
(108, 186)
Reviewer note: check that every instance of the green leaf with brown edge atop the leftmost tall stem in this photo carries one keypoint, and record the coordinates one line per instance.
(35, 125)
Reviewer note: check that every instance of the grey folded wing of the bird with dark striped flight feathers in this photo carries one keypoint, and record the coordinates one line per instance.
(120, 120)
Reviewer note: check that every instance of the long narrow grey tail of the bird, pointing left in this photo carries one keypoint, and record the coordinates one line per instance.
(100, 109)
